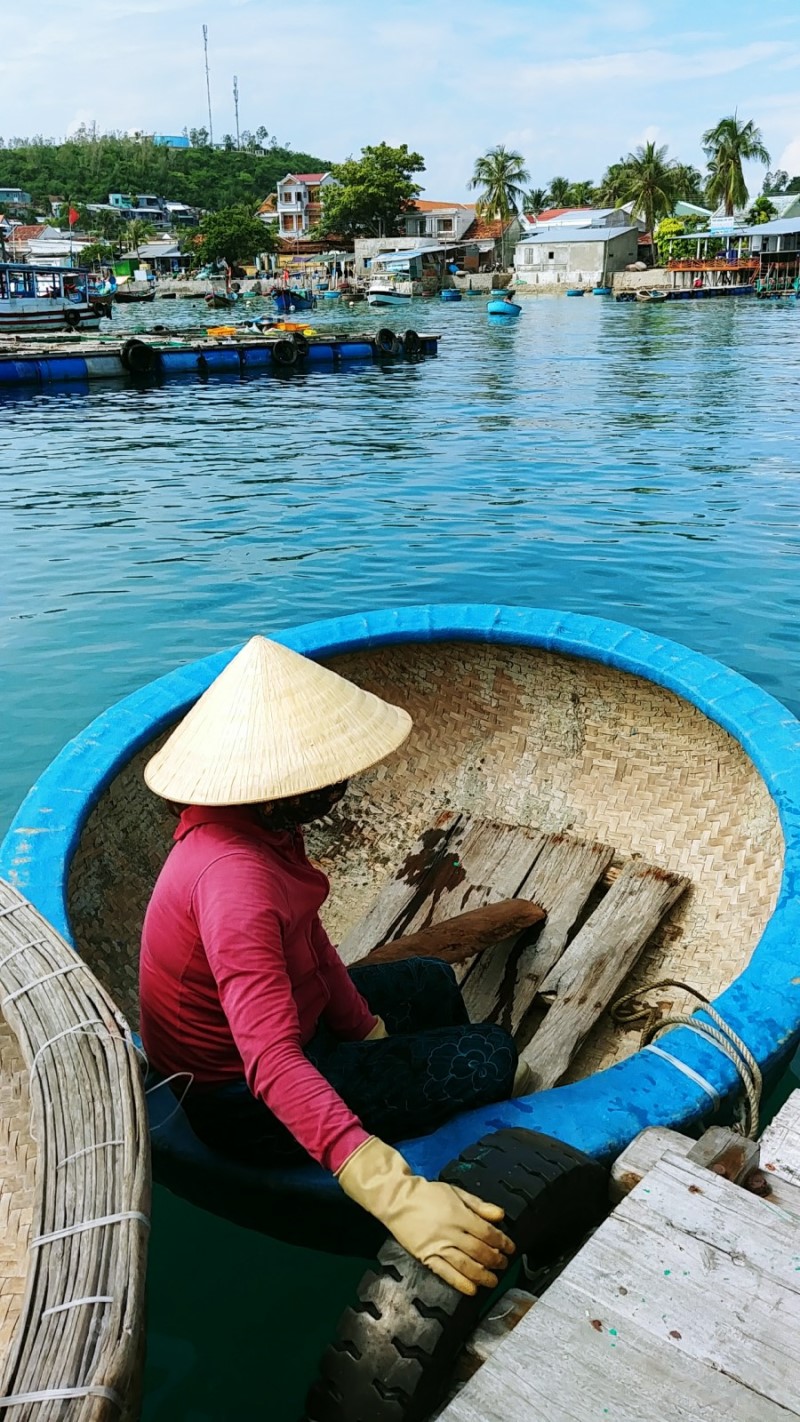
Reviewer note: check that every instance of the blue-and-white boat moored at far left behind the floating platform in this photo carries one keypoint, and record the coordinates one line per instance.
(49, 299)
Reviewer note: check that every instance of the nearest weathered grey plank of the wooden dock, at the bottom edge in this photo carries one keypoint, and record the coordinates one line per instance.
(571, 1362)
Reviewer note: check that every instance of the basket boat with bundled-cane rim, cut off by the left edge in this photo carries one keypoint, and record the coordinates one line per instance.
(75, 1198)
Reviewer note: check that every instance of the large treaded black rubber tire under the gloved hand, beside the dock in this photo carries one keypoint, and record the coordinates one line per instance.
(394, 1352)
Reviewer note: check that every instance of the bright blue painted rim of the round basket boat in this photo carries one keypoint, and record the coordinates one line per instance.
(600, 1114)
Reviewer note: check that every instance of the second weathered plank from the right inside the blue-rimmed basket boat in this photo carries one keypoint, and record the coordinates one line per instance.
(502, 985)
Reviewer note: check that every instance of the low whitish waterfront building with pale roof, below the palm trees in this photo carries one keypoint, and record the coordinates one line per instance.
(575, 257)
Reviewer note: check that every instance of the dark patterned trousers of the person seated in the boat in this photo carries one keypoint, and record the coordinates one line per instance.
(433, 1066)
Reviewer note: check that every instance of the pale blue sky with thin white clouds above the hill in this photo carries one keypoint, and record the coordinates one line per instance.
(572, 87)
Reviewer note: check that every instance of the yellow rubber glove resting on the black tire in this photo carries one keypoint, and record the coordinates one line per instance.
(444, 1228)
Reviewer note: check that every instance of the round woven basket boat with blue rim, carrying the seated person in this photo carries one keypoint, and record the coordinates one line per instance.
(556, 725)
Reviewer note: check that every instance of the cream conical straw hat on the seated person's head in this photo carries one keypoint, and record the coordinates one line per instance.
(274, 725)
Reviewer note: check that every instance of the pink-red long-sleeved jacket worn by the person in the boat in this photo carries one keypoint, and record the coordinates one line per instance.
(237, 972)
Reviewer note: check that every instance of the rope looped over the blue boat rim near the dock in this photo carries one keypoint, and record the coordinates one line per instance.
(632, 1009)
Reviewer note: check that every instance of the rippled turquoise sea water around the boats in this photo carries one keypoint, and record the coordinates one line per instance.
(632, 461)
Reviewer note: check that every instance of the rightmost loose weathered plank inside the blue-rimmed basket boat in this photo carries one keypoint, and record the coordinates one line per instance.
(598, 962)
